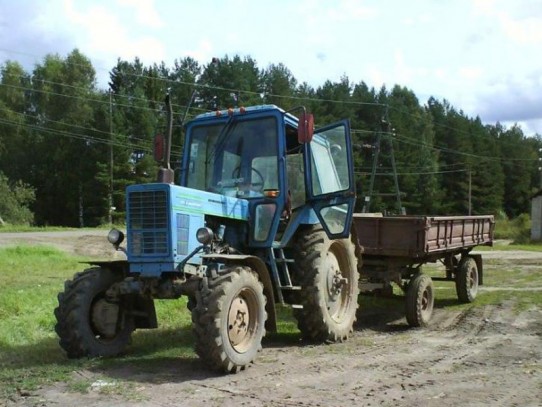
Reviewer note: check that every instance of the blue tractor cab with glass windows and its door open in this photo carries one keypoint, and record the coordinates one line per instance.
(289, 177)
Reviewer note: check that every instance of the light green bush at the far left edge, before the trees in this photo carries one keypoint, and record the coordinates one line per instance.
(15, 202)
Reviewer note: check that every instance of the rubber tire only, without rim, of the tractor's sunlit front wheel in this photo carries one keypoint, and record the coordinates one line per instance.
(207, 316)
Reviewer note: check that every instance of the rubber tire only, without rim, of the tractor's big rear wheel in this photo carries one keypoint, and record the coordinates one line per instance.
(313, 320)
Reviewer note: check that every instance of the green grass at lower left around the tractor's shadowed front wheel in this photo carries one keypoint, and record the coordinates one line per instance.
(30, 279)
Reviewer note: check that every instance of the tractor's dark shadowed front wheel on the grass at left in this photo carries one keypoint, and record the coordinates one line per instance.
(89, 323)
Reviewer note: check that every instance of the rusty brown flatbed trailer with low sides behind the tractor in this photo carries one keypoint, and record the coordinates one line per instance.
(395, 247)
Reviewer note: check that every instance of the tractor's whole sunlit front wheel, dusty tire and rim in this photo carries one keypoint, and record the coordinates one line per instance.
(229, 320)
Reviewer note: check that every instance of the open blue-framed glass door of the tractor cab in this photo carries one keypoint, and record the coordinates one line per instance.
(329, 178)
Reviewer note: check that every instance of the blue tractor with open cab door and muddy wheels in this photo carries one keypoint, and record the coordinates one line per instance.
(261, 216)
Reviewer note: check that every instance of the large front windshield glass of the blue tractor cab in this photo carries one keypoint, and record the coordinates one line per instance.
(237, 158)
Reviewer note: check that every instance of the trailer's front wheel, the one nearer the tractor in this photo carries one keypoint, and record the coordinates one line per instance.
(419, 300)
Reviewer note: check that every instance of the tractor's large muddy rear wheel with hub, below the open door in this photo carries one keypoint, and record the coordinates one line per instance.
(328, 275)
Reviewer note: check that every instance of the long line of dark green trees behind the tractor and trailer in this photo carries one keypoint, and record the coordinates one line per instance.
(68, 149)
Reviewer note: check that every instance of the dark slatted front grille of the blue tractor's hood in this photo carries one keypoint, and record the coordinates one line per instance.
(148, 223)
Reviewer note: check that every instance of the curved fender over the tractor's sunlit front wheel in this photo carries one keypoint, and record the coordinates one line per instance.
(256, 264)
